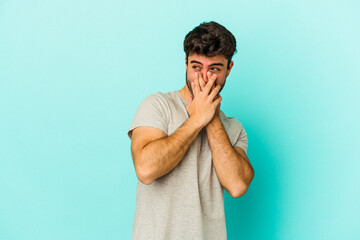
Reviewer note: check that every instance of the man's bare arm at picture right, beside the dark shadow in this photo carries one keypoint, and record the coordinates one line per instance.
(232, 166)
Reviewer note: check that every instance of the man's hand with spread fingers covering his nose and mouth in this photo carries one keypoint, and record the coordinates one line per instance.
(206, 100)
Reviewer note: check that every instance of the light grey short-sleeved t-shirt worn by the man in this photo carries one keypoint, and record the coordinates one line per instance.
(188, 202)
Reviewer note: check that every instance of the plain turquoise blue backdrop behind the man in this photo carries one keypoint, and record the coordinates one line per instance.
(72, 74)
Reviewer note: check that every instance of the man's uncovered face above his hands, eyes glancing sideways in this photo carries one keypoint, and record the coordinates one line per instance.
(201, 64)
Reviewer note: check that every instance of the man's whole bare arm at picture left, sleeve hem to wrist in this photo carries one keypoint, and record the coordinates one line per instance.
(156, 154)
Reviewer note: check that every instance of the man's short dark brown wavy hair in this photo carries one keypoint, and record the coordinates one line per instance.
(210, 39)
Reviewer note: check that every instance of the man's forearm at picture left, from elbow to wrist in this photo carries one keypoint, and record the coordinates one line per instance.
(163, 155)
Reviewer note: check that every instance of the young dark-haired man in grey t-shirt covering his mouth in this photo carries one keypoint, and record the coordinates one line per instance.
(186, 151)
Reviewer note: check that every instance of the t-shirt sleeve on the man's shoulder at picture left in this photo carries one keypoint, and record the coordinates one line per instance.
(152, 112)
